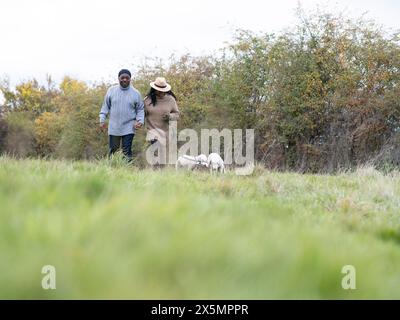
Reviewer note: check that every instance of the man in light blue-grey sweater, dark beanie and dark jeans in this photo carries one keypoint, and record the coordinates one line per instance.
(125, 108)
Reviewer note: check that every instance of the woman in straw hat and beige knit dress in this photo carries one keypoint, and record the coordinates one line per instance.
(160, 108)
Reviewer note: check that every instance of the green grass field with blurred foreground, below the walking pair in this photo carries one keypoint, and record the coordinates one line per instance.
(117, 232)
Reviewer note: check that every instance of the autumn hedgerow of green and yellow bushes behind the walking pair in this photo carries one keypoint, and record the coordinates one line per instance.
(322, 96)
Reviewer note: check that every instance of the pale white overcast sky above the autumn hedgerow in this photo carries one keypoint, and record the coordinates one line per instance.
(92, 39)
